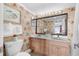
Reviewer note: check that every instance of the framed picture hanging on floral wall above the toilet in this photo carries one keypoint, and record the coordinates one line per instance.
(11, 15)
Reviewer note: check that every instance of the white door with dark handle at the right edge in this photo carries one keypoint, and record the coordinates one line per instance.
(75, 41)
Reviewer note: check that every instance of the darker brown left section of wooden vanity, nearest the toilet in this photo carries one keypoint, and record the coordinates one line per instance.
(37, 45)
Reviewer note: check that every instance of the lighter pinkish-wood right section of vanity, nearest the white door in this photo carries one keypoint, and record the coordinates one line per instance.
(56, 48)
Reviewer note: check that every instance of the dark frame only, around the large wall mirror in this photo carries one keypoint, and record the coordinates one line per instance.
(66, 25)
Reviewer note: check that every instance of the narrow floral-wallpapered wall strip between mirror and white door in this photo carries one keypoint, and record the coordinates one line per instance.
(71, 13)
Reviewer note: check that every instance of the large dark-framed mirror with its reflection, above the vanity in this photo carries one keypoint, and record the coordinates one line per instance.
(55, 25)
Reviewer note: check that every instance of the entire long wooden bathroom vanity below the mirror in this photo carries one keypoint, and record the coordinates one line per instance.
(49, 47)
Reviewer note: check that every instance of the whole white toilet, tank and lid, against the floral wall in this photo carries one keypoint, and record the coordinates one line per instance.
(13, 48)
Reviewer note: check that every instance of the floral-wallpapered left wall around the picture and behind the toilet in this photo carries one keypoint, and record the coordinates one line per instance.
(25, 21)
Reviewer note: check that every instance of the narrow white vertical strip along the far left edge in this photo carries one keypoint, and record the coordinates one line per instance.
(1, 29)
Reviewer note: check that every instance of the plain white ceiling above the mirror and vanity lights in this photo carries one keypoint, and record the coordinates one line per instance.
(37, 8)
